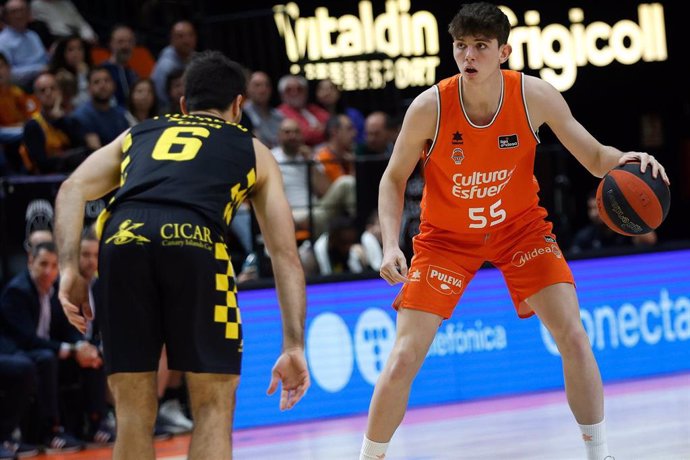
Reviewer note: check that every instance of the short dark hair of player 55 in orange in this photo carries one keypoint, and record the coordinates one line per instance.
(480, 19)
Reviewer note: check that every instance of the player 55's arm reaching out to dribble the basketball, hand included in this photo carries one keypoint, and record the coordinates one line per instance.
(546, 105)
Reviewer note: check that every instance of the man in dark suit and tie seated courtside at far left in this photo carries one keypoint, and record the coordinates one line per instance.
(30, 314)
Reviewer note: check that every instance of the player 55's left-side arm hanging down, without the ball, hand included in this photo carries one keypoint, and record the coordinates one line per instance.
(418, 127)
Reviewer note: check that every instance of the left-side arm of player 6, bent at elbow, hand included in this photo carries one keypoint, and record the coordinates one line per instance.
(96, 176)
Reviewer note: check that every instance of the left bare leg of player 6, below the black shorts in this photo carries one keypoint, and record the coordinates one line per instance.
(135, 409)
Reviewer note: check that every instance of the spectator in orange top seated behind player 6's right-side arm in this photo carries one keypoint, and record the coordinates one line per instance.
(336, 156)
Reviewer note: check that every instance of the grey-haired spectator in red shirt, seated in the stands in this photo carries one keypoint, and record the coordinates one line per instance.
(311, 118)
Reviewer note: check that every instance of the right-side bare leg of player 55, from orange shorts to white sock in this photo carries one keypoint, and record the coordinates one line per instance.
(558, 309)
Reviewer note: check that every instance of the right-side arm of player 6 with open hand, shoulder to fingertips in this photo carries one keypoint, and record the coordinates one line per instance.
(275, 219)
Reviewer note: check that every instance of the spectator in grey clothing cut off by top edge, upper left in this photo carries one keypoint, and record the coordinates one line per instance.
(63, 19)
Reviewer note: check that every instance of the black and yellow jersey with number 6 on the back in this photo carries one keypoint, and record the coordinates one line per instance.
(202, 163)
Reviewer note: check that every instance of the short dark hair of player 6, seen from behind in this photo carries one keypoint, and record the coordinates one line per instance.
(212, 81)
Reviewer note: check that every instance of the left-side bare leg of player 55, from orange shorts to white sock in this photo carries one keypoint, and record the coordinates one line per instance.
(416, 331)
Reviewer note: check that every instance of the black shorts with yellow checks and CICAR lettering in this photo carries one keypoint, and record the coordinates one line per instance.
(166, 278)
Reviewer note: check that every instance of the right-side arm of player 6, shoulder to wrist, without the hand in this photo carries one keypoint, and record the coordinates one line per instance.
(275, 220)
